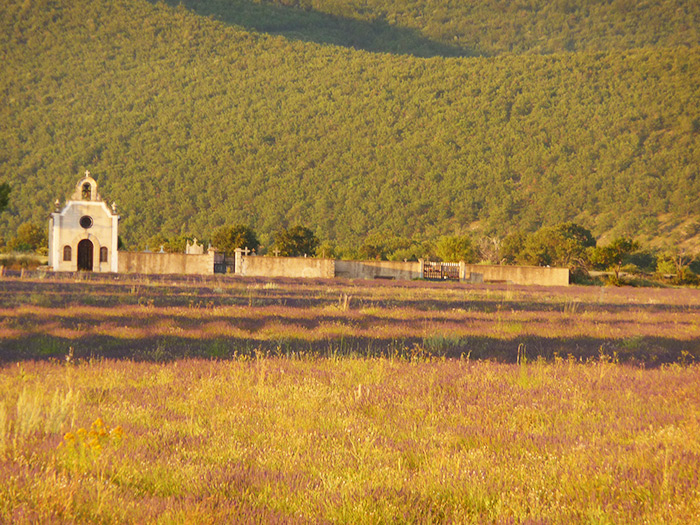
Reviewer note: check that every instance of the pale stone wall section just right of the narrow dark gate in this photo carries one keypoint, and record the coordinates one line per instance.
(256, 266)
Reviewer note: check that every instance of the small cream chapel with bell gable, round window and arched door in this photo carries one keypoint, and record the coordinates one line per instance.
(84, 234)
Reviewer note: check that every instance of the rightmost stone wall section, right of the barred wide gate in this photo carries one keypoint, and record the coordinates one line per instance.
(539, 275)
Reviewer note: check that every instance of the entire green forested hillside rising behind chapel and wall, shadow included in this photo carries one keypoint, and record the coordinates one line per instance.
(193, 116)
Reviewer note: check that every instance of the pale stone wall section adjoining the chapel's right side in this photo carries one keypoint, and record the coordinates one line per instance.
(167, 263)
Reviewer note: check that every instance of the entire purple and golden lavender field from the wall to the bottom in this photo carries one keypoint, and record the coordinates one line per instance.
(217, 400)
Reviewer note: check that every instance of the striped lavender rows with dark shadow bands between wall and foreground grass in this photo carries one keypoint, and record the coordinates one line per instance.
(171, 318)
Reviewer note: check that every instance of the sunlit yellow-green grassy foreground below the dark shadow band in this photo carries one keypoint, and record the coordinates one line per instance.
(349, 440)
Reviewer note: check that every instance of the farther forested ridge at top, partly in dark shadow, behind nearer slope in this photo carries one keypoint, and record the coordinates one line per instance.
(481, 27)
